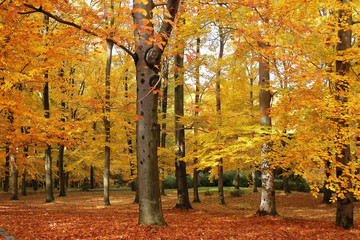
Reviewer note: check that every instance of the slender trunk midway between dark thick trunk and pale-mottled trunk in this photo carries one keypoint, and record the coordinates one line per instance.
(218, 110)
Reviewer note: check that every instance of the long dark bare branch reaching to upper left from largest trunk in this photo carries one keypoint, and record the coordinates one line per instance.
(60, 20)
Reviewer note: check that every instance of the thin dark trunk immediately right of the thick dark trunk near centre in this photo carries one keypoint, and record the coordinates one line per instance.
(196, 113)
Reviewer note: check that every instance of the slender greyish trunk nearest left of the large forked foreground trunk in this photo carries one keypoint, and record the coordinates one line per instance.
(107, 124)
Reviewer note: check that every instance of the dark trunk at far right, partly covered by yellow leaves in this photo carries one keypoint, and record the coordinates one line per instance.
(345, 207)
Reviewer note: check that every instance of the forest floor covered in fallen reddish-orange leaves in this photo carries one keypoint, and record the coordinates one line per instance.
(81, 215)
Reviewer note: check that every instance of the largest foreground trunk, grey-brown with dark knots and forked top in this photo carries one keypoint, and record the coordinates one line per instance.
(147, 59)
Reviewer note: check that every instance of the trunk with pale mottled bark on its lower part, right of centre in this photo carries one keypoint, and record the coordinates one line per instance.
(267, 204)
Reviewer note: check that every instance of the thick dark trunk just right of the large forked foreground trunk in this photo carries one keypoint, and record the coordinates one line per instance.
(180, 166)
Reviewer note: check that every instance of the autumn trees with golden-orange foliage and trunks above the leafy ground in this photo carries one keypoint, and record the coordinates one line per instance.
(95, 92)
